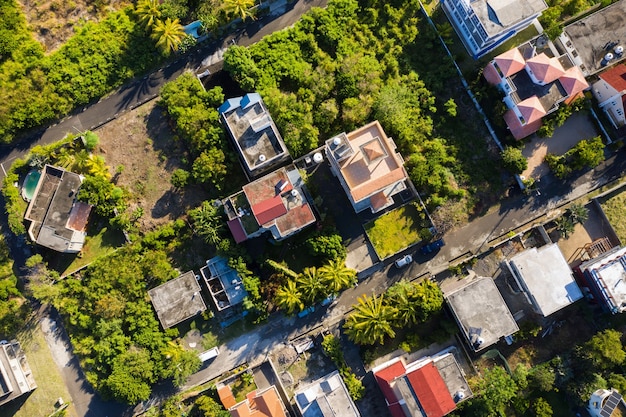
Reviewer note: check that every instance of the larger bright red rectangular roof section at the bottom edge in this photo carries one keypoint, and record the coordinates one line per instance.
(431, 391)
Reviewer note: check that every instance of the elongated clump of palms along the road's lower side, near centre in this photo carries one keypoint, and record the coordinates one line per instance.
(405, 303)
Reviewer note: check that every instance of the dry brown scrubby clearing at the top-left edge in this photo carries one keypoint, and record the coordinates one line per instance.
(53, 21)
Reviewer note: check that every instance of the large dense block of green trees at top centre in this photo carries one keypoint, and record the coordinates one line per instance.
(350, 63)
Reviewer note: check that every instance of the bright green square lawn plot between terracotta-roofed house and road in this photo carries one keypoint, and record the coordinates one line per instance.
(397, 229)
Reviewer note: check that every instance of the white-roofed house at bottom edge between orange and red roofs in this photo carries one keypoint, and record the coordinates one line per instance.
(326, 397)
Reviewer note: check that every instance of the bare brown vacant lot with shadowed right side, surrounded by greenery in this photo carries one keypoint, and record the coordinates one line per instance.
(141, 153)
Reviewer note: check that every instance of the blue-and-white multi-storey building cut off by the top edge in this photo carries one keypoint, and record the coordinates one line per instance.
(483, 25)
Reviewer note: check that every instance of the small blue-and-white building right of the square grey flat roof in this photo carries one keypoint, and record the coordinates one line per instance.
(223, 282)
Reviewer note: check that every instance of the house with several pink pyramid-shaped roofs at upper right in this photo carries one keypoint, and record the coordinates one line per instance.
(535, 82)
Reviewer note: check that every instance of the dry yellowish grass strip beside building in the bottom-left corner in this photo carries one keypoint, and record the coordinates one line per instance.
(50, 385)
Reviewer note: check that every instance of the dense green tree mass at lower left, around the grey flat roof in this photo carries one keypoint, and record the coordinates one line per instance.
(114, 330)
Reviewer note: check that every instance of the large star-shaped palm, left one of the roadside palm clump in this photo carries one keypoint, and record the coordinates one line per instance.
(371, 321)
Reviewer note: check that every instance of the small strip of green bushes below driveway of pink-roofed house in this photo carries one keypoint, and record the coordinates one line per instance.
(587, 153)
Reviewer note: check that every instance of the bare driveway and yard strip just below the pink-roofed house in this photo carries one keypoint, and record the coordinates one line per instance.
(578, 127)
